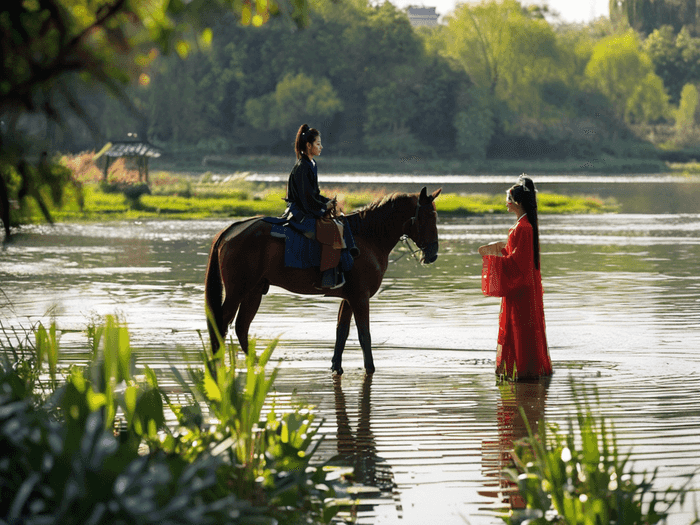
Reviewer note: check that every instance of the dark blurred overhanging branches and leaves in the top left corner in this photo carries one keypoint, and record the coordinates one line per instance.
(53, 49)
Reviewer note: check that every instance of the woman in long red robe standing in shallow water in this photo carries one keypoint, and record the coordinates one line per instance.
(512, 271)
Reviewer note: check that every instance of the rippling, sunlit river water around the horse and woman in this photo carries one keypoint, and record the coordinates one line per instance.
(428, 434)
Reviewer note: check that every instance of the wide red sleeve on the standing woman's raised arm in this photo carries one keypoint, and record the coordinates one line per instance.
(502, 275)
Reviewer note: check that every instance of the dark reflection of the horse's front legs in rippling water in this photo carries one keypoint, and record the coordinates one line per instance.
(371, 474)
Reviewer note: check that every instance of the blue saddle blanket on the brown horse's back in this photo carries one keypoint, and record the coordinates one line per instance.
(302, 252)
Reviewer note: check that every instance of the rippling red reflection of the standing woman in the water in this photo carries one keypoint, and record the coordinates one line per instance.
(496, 456)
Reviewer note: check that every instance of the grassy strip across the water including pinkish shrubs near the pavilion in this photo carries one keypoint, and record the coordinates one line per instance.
(170, 195)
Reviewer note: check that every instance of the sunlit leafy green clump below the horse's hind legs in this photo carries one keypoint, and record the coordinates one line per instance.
(266, 455)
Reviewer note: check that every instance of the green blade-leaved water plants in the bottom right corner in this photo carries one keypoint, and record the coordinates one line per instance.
(580, 476)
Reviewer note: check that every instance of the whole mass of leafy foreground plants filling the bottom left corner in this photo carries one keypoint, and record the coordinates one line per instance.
(90, 444)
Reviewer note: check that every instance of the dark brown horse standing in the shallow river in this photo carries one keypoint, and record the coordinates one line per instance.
(245, 260)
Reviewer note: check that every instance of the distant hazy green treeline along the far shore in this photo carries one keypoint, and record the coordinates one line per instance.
(496, 80)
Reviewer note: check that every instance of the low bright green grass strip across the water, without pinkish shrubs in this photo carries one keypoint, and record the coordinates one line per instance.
(172, 197)
